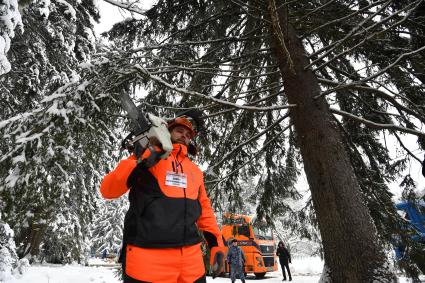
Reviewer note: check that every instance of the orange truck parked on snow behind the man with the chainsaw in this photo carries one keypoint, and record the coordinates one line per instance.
(258, 244)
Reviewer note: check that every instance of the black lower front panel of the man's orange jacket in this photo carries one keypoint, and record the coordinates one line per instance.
(155, 220)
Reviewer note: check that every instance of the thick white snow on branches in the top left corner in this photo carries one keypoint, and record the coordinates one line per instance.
(10, 18)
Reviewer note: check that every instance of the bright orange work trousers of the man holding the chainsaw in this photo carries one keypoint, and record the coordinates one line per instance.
(166, 265)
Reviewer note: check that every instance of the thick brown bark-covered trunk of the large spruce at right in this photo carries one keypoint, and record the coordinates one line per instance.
(351, 248)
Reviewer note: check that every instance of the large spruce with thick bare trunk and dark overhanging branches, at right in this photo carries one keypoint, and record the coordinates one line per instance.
(346, 71)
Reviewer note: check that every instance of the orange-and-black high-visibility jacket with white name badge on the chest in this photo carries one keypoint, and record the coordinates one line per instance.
(163, 213)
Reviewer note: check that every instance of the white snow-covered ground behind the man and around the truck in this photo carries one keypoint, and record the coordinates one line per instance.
(305, 270)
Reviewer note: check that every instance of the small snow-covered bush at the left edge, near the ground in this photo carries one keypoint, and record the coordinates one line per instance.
(8, 257)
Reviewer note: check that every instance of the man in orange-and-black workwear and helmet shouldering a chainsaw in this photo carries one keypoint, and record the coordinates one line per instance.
(168, 207)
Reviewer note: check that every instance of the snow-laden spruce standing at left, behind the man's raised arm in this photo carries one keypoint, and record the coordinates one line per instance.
(48, 136)
